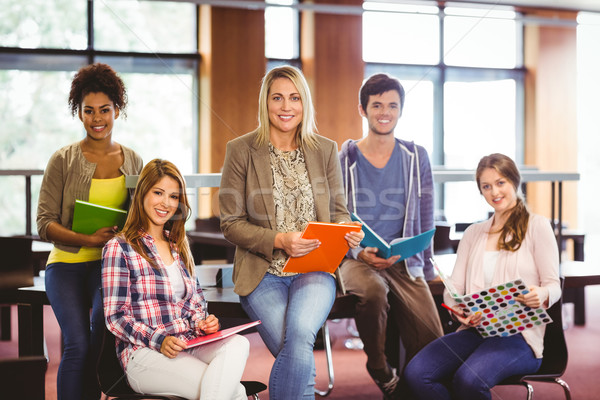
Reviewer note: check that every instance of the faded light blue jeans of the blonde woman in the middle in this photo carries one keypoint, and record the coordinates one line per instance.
(292, 310)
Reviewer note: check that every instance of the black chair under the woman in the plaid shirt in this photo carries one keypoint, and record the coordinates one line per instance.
(113, 382)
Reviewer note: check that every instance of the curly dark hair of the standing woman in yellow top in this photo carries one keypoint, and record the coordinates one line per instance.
(97, 78)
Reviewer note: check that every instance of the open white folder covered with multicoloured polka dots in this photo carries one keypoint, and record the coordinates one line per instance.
(502, 314)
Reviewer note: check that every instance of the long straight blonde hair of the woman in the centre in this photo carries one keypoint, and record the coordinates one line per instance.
(307, 129)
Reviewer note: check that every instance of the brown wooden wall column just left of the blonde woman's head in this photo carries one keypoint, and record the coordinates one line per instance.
(232, 45)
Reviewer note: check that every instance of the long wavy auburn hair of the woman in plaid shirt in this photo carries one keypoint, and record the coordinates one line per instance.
(137, 219)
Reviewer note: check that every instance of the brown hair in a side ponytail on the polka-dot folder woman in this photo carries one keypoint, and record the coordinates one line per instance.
(514, 230)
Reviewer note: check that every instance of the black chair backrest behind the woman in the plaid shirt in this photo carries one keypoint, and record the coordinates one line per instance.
(108, 369)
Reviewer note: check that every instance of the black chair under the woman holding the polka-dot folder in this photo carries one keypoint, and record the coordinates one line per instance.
(555, 358)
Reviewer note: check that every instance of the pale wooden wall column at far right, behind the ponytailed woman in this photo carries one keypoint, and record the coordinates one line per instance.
(550, 110)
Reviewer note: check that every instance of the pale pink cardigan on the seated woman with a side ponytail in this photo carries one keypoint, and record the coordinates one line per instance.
(536, 262)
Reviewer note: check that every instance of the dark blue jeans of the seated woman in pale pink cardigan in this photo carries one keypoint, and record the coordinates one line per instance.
(464, 365)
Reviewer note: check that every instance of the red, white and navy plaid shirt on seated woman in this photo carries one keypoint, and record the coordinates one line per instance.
(140, 308)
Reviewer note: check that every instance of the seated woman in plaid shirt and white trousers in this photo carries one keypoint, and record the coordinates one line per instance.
(153, 304)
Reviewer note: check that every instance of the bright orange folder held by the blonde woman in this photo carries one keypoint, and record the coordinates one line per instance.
(329, 254)
